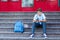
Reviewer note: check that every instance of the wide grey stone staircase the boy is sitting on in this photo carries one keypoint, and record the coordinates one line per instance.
(8, 19)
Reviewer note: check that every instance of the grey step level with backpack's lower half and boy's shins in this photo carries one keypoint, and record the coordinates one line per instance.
(53, 30)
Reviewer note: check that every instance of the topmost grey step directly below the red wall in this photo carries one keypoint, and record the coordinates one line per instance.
(29, 13)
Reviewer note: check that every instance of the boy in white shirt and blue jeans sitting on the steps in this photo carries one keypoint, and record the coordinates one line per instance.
(39, 19)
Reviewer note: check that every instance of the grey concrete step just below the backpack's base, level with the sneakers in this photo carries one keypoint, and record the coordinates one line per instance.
(26, 34)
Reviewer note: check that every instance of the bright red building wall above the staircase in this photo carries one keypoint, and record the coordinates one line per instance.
(46, 5)
